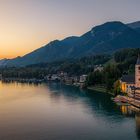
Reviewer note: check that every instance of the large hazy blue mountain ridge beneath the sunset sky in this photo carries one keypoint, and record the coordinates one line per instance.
(103, 39)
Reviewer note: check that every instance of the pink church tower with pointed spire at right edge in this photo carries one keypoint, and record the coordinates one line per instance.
(137, 73)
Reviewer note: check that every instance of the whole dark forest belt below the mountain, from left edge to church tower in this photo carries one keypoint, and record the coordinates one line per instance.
(114, 66)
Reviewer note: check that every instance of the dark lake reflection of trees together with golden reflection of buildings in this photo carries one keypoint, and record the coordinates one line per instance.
(100, 103)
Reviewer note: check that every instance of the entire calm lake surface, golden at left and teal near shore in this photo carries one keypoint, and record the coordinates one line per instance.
(59, 112)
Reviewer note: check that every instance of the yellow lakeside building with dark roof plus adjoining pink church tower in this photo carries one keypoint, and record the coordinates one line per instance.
(131, 83)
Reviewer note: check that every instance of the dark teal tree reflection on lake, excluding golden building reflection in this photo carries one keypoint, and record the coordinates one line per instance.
(97, 103)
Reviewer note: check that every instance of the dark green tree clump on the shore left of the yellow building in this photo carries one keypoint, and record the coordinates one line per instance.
(105, 78)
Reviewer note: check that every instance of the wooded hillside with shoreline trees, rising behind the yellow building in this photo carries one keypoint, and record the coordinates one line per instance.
(122, 62)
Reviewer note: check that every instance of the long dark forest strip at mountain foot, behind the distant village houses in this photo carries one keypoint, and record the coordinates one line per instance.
(73, 67)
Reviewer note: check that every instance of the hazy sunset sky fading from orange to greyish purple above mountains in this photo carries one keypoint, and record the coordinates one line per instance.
(28, 24)
